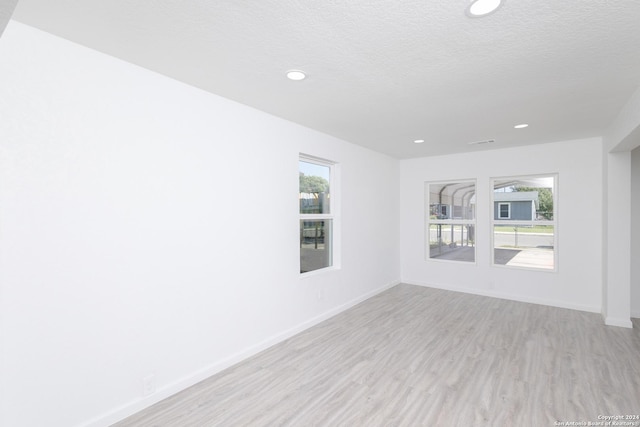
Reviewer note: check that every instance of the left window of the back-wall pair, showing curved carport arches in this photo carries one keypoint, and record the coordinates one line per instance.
(451, 220)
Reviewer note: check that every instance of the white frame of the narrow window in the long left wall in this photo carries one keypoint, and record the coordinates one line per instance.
(332, 215)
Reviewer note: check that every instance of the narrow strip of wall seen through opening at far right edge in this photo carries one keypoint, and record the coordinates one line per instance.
(635, 233)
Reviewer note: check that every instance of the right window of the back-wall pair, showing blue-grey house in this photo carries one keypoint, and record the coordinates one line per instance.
(524, 222)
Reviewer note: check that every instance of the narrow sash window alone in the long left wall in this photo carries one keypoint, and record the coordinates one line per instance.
(316, 214)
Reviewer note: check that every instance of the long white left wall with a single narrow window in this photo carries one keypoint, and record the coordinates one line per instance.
(150, 228)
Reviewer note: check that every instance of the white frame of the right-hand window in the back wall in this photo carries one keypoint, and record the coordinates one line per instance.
(532, 222)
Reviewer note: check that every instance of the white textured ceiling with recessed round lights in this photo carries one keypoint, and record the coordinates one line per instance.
(382, 73)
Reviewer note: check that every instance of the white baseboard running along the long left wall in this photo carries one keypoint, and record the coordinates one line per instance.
(162, 393)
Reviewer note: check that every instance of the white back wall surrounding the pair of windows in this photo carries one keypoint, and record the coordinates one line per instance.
(576, 284)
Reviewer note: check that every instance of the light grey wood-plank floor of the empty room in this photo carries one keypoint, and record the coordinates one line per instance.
(415, 356)
